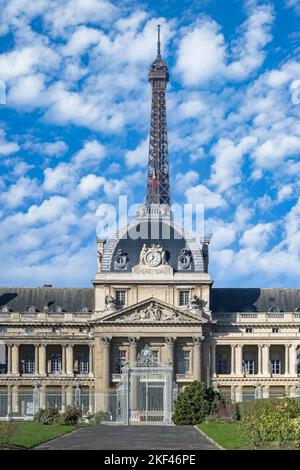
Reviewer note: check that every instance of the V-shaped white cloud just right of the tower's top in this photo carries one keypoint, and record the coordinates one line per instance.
(203, 53)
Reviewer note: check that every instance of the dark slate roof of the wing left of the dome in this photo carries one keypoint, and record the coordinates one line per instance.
(69, 299)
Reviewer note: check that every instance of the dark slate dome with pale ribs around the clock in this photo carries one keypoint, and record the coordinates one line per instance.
(130, 241)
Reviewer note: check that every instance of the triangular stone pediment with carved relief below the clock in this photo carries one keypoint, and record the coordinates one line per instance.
(152, 311)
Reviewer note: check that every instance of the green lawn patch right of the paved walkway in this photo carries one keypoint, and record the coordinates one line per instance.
(227, 435)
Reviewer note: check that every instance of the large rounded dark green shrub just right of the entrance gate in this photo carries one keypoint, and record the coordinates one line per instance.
(194, 403)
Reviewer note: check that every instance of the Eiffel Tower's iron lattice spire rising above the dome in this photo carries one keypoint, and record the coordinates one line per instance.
(158, 185)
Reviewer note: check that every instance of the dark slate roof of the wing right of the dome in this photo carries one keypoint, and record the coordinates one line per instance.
(254, 300)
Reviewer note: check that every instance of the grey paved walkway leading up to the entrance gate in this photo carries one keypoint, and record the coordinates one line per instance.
(131, 438)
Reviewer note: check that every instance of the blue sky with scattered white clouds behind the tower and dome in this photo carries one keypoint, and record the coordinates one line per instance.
(73, 131)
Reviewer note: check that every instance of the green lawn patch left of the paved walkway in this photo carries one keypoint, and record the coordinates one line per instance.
(30, 433)
